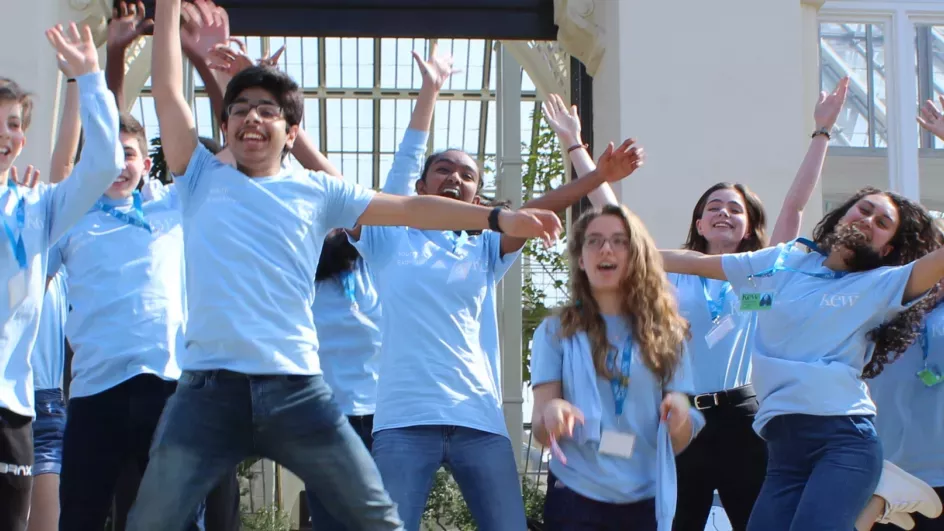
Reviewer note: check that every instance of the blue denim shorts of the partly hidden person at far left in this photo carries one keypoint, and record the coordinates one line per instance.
(48, 428)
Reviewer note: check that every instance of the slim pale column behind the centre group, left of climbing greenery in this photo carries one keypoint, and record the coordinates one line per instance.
(509, 185)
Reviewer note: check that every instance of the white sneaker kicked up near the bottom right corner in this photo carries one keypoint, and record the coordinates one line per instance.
(904, 493)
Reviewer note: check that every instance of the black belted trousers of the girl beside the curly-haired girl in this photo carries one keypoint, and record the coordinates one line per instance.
(726, 456)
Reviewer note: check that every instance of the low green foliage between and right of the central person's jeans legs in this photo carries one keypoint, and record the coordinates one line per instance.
(445, 508)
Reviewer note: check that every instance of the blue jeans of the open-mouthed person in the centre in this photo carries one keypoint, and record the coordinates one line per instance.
(483, 464)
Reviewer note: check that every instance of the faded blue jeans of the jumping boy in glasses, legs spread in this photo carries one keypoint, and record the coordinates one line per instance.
(216, 419)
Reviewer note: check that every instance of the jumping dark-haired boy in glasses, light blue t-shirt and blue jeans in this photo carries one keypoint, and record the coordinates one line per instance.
(251, 382)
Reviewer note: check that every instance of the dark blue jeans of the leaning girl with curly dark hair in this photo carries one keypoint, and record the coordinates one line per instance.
(821, 473)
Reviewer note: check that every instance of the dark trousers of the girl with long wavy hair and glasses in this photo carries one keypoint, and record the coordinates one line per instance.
(565, 510)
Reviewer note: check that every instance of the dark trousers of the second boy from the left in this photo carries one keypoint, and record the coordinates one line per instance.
(105, 434)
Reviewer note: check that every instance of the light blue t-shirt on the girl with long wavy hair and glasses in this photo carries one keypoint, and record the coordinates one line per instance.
(597, 476)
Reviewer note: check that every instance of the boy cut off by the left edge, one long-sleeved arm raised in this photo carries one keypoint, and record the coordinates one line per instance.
(32, 220)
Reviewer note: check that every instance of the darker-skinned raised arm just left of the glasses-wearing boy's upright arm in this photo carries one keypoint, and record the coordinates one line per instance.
(126, 25)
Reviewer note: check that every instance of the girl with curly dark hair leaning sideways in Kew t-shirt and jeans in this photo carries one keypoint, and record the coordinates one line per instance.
(814, 312)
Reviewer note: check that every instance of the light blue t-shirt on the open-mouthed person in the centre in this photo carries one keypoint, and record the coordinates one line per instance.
(440, 359)
